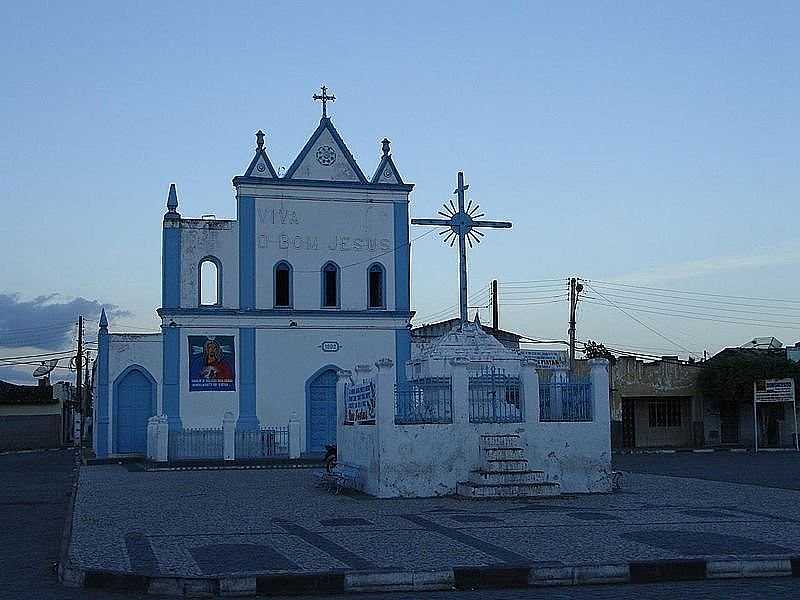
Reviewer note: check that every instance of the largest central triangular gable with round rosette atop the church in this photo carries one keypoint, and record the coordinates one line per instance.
(325, 157)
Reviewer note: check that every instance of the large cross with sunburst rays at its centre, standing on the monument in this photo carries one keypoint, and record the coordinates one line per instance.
(462, 225)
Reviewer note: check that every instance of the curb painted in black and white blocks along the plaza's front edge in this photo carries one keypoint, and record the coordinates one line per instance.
(459, 578)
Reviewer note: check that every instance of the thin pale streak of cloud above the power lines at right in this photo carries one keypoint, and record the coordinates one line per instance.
(786, 255)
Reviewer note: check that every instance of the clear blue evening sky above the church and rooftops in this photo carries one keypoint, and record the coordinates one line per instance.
(631, 144)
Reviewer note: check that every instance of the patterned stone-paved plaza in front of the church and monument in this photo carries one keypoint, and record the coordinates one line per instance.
(195, 523)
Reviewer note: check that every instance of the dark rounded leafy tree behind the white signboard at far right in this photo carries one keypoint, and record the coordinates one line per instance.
(730, 374)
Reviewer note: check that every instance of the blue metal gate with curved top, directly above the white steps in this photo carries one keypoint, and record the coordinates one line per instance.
(494, 397)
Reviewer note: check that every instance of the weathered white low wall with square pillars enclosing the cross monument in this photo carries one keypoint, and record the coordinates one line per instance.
(430, 459)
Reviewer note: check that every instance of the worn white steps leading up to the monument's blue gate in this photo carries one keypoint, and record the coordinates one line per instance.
(504, 472)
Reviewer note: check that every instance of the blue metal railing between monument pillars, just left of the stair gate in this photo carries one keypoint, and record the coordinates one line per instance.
(426, 400)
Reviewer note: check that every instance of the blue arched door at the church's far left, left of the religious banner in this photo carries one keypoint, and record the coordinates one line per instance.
(134, 406)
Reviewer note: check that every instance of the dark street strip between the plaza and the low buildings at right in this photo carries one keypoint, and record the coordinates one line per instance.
(769, 469)
